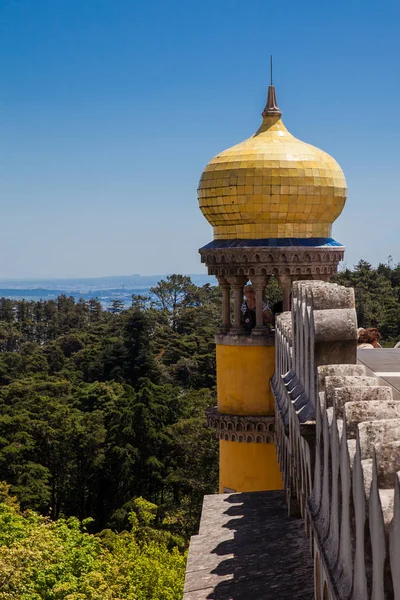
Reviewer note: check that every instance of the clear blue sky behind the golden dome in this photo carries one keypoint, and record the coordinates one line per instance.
(110, 109)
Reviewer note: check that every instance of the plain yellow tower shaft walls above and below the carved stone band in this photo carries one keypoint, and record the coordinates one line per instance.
(244, 369)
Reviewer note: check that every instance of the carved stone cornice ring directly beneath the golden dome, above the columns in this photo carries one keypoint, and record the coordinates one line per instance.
(294, 261)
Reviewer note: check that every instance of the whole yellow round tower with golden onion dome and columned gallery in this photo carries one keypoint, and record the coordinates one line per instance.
(271, 200)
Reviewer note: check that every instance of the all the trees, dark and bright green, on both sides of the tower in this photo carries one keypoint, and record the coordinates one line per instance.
(104, 451)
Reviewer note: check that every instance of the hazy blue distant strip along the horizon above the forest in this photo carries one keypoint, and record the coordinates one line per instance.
(104, 289)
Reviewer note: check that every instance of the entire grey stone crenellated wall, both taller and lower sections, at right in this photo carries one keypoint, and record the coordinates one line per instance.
(338, 443)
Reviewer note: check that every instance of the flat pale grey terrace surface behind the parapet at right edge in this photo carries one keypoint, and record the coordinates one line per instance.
(385, 364)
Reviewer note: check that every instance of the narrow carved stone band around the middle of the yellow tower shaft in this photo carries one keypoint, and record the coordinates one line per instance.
(241, 428)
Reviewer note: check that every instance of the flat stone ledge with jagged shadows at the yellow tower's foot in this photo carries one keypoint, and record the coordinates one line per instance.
(249, 549)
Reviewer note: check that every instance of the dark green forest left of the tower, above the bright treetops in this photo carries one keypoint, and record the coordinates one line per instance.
(90, 398)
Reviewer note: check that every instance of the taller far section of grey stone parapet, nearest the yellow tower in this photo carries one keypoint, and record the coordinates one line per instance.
(321, 328)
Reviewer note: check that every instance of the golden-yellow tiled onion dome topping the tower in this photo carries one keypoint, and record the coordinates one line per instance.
(272, 185)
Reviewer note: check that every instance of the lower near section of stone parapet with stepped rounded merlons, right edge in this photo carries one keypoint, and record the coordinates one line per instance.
(351, 506)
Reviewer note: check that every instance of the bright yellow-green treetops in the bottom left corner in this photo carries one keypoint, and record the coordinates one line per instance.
(59, 560)
